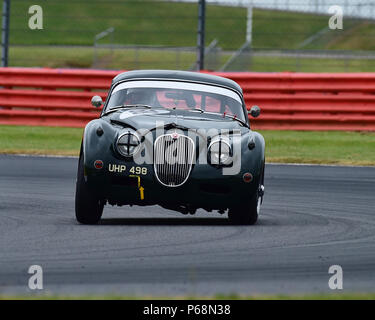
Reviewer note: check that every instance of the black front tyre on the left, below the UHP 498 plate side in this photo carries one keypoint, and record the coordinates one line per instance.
(89, 209)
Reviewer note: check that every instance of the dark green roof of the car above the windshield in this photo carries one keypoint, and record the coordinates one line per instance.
(178, 75)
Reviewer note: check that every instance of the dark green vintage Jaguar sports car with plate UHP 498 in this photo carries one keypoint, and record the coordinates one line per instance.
(181, 140)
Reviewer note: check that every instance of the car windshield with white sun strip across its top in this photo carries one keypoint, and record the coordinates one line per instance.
(177, 95)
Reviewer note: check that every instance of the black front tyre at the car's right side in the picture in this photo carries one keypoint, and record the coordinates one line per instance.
(246, 214)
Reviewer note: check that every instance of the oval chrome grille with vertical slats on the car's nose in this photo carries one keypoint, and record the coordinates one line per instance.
(173, 159)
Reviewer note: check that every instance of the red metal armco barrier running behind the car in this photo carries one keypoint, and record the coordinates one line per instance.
(289, 101)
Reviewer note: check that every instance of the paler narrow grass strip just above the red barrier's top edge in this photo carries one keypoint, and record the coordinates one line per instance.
(129, 59)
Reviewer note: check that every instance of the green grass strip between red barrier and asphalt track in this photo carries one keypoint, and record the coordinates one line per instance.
(344, 148)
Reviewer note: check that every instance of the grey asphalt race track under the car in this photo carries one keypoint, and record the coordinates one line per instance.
(313, 217)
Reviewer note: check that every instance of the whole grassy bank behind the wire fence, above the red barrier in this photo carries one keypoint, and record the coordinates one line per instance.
(175, 24)
